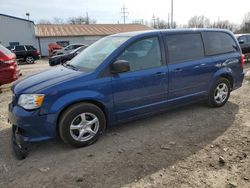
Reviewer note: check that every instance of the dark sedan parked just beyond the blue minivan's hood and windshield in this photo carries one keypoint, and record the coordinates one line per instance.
(63, 58)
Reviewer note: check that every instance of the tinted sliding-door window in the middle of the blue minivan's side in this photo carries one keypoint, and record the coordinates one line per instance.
(184, 47)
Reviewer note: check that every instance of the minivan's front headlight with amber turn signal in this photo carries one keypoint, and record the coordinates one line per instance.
(31, 101)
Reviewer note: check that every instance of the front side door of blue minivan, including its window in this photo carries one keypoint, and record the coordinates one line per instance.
(144, 87)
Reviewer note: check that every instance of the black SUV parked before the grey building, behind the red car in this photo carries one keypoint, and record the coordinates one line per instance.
(25, 52)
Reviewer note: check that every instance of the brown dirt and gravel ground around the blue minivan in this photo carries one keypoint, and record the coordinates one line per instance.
(192, 146)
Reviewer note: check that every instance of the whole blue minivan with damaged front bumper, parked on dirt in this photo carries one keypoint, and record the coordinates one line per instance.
(123, 77)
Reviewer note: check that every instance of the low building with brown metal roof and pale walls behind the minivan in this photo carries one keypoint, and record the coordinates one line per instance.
(83, 34)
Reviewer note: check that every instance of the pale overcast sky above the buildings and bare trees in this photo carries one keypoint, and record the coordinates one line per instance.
(108, 11)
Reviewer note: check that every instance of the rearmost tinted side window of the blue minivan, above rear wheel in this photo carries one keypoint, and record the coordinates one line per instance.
(218, 43)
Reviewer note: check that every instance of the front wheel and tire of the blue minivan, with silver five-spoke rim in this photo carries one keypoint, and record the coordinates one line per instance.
(82, 124)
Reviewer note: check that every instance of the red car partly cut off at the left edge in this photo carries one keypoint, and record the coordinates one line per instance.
(9, 71)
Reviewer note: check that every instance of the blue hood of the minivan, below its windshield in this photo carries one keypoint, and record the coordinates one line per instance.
(37, 82)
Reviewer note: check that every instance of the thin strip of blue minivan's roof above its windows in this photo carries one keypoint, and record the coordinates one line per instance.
(189, 30)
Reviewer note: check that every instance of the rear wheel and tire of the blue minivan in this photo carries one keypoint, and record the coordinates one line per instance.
(219, 93)
